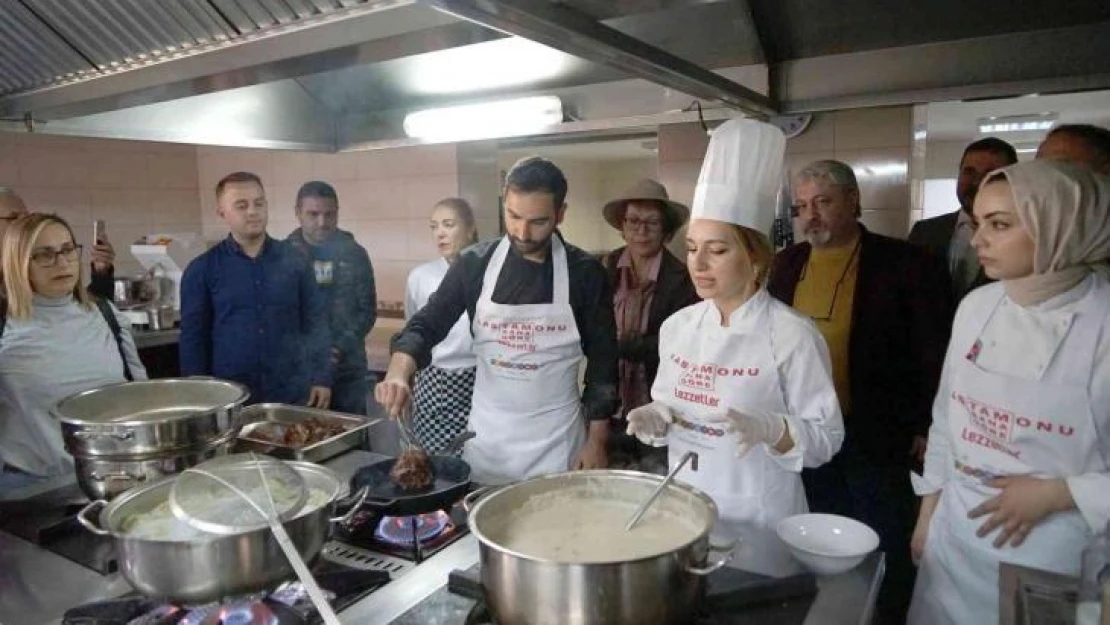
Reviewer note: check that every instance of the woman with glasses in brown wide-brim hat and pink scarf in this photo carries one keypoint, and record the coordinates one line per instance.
(650, 285)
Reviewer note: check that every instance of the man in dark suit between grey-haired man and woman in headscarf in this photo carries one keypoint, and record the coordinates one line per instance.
(948, 237)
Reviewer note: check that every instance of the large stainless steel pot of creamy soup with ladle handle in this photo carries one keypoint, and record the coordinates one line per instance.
(650, 589)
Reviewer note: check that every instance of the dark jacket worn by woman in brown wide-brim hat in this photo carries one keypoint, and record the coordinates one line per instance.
(674, 291)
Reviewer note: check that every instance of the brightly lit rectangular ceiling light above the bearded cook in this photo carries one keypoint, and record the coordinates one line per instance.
(486, 120)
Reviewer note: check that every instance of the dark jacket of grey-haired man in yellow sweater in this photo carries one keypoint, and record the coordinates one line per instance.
(902, 320)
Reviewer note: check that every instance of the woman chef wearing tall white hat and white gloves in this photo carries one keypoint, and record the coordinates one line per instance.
(744, 380)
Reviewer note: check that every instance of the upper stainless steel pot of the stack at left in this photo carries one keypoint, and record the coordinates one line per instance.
(150, 417)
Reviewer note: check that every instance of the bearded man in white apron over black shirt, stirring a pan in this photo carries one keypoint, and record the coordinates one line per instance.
(540, 307)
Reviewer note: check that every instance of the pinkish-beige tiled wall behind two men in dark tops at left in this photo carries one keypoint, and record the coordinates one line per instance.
(386, 198)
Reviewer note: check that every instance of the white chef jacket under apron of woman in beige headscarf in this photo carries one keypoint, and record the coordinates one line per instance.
(1021, 342)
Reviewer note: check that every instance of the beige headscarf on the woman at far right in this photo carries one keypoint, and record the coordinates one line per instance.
(1066, 209)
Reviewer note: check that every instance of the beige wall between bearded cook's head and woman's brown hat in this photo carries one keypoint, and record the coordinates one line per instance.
(591, 185)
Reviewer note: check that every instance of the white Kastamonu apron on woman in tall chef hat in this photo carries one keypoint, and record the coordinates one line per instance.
(705, 370)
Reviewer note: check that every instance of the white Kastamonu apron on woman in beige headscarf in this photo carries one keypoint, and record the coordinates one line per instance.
(1004, 426)
